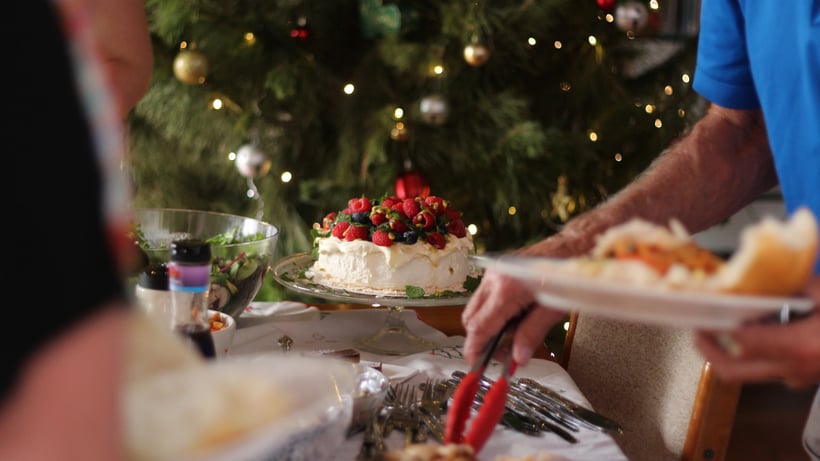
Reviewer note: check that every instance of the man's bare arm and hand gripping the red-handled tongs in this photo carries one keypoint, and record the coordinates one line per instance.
(722, 164)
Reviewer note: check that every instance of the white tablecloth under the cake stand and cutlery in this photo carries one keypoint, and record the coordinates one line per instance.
(312, 331)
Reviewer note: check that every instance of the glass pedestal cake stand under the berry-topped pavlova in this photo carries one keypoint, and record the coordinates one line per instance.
(394, 337)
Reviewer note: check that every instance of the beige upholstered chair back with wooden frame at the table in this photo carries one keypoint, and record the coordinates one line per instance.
(653, 381)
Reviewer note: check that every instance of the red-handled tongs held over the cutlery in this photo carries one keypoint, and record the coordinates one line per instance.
(494, 401)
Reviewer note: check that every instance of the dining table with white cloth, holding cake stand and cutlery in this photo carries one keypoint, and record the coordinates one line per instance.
(315, 329)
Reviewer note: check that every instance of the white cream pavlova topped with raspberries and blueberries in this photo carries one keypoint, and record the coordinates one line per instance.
(402, 247)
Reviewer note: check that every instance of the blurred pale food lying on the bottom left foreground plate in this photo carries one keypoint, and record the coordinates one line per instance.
(188, 412)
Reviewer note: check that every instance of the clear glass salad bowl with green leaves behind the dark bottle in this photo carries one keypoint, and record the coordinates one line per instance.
(242, 249)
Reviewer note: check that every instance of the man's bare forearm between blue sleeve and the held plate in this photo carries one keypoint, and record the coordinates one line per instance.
(702, 179)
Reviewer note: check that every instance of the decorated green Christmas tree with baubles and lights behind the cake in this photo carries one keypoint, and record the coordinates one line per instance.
(521, 113)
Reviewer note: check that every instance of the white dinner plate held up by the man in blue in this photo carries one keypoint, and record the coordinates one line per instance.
(640, 304)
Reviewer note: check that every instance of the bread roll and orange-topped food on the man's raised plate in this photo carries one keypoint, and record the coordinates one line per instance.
(773, 258)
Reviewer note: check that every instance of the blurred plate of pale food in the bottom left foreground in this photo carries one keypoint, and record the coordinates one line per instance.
(309, 404)
